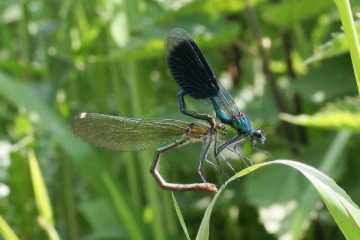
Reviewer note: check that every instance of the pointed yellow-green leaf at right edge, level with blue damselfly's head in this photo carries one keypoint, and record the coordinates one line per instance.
(344, 114)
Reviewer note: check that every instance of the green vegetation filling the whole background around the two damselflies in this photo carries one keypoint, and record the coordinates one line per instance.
(288, 65)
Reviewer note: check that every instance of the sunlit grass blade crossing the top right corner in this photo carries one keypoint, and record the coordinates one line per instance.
(347, 21)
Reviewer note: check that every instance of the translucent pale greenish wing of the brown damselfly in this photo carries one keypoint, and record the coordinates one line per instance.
(126, 134)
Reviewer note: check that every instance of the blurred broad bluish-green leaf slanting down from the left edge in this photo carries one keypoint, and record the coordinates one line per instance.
(24, 95)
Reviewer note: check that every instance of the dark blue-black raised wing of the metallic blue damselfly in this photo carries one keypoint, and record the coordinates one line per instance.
(189, 67)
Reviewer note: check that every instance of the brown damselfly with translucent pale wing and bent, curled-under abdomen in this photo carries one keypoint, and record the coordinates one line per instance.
(134, 134)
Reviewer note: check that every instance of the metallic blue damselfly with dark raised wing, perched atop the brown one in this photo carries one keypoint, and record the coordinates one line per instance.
(195, 77)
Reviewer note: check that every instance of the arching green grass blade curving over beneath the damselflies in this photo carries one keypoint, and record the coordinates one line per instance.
(344, 211)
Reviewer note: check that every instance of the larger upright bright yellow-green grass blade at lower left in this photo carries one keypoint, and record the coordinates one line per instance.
(46, 219)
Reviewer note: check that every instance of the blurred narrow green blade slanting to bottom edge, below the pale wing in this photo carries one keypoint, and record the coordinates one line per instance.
(123, 209)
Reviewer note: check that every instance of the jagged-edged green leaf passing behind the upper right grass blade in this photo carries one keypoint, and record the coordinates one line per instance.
(334, 47)
